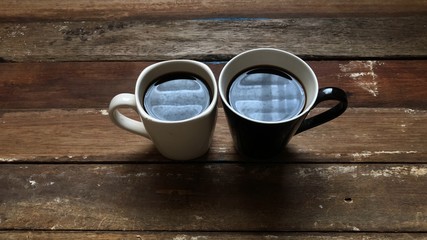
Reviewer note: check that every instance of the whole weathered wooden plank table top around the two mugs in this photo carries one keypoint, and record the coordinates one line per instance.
(66, 172)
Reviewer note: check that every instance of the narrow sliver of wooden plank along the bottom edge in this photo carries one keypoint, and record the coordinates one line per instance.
(113, 235)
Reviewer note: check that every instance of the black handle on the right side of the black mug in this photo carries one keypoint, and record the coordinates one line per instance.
(327, 93)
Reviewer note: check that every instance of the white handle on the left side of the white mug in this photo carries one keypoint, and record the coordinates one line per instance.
(128, 100)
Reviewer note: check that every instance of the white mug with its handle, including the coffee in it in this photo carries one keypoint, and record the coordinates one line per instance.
(176, 101)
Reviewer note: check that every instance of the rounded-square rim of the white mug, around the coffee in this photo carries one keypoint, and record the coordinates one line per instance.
(212, 84)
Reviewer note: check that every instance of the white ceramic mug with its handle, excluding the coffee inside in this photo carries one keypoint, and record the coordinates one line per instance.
(179, 140)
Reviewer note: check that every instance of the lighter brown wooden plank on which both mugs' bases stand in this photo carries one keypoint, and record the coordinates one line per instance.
(87, 135)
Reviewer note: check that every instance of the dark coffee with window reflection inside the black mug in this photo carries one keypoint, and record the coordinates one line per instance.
(267, 94)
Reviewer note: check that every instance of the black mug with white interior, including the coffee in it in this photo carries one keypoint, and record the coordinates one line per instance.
(267, 94)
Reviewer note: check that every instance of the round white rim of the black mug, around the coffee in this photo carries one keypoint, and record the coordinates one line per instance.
(223, 94)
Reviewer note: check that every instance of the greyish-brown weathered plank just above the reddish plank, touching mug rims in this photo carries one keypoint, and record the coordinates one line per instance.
(213, 39)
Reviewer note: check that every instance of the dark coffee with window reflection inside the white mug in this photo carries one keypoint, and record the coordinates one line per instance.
(176, 96)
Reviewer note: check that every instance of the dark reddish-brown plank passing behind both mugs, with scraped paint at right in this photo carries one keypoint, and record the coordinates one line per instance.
(382, 83)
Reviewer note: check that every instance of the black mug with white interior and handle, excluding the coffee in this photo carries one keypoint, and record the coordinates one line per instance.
(264, 139)
